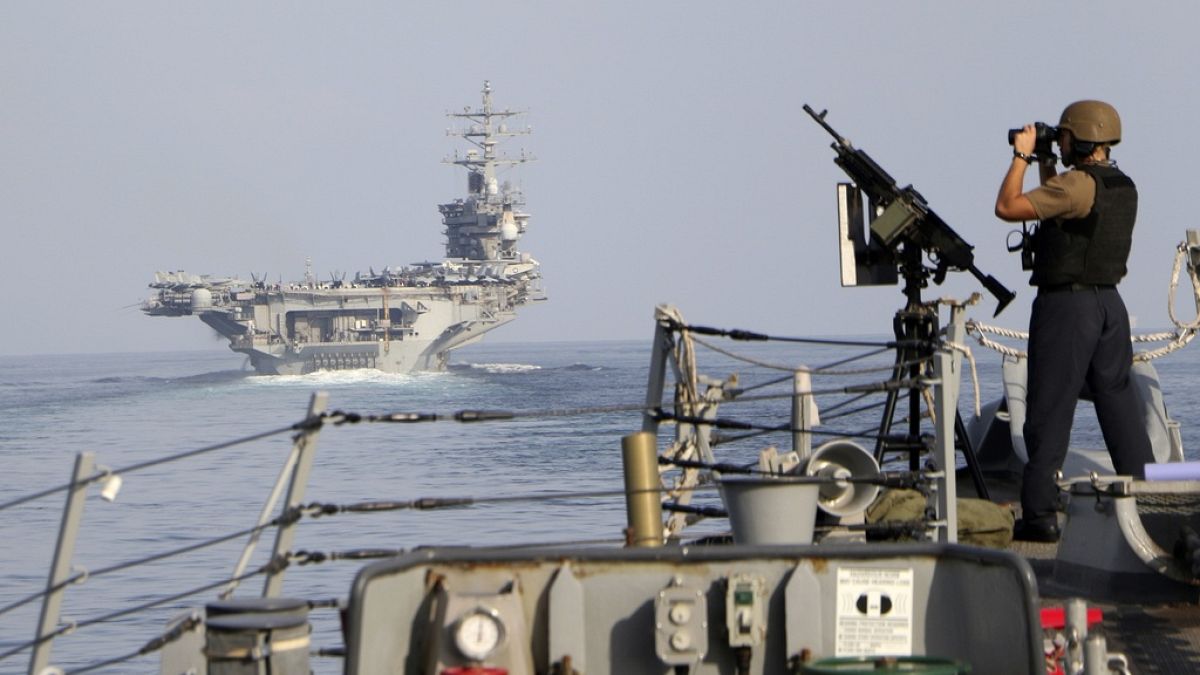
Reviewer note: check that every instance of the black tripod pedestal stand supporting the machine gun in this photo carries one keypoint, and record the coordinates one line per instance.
(916, 330)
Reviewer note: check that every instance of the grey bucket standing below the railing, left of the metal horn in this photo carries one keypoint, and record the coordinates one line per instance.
(767, 511)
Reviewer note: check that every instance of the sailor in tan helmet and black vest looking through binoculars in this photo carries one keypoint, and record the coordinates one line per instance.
(1079, 328)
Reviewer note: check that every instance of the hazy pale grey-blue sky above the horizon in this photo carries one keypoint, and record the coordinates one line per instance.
(675, 162)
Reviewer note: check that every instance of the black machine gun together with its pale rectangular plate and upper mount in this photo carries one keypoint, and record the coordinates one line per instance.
(903, 226)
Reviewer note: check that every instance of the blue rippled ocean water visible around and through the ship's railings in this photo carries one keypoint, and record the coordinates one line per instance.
(131, 409)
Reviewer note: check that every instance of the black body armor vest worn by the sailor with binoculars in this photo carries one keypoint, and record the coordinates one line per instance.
(1093, 249)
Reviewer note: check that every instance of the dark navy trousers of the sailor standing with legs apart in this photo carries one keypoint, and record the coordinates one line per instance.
(1079, 338)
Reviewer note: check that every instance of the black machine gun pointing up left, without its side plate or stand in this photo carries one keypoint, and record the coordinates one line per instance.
(903, 222)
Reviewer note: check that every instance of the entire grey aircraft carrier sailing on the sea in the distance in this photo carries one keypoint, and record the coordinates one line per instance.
(399, 320)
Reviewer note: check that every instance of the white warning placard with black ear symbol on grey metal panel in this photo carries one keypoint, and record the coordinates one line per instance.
(874, 612)
